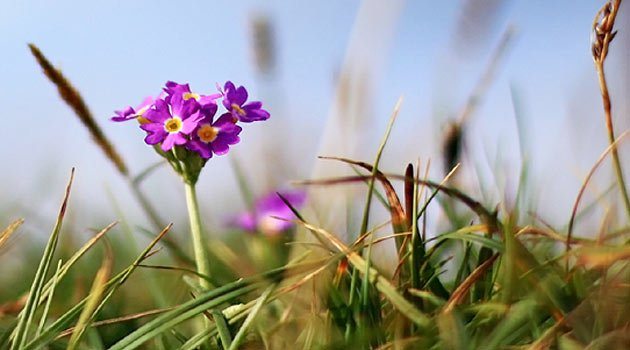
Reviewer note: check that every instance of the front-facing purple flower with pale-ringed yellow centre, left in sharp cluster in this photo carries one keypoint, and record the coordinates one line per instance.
(170, 122)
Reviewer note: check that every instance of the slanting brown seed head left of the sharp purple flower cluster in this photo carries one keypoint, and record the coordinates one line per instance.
(72, 97)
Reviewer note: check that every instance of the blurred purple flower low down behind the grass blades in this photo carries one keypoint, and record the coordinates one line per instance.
(267, 210)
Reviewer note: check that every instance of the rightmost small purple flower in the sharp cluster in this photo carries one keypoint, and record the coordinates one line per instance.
(234, 101)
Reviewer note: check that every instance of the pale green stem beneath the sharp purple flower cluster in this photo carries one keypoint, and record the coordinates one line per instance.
(199, 245)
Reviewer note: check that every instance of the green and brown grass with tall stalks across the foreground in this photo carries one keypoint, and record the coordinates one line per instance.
(489, 275)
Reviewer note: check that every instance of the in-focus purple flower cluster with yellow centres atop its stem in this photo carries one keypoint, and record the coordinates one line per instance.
(180, 117)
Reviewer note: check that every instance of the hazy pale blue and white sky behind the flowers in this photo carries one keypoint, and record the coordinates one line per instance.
(118, 52)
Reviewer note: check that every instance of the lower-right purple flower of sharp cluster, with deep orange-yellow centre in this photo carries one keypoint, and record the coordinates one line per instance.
(214, 137)
